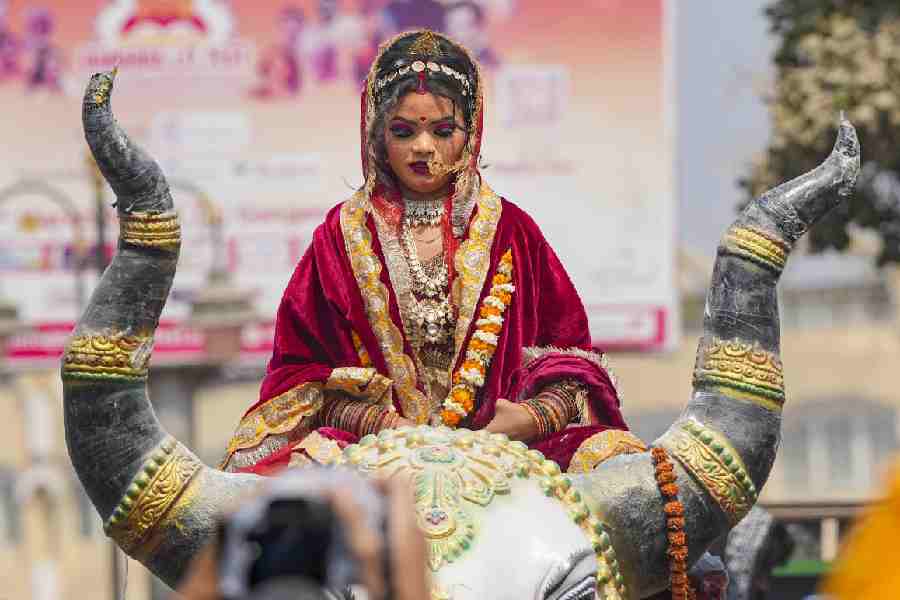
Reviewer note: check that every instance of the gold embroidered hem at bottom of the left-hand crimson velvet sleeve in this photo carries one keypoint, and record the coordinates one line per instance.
(281, 414)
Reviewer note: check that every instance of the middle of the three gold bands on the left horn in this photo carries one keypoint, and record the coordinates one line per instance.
(113, 356)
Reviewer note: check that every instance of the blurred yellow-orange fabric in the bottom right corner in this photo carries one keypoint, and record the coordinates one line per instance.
(868, 564)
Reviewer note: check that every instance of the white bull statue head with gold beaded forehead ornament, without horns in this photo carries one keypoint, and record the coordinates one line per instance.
(500, 521)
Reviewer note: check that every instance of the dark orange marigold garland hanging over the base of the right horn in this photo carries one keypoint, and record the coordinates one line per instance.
(678, 552)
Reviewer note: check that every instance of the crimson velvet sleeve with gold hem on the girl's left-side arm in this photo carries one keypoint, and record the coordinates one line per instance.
(315, 358)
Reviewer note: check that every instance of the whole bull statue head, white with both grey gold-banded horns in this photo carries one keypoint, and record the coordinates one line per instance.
(500, 521)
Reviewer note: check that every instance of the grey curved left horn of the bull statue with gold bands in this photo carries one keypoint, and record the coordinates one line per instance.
(156, 498)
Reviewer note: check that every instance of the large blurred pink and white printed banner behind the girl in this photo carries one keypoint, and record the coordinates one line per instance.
(252, 109)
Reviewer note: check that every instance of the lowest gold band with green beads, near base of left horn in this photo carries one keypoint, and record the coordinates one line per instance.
(158, 484)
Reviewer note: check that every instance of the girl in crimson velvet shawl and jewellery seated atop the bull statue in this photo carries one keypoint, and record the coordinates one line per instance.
(426, 298)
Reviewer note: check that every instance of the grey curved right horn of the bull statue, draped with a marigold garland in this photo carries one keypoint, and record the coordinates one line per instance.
(723, 446)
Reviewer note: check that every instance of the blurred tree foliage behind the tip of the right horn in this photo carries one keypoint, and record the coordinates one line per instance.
(837, 55)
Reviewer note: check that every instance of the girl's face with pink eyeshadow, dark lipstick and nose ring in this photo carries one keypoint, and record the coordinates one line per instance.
(423, 129)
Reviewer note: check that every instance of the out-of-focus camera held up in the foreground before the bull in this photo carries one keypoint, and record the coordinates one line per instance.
(288, 542)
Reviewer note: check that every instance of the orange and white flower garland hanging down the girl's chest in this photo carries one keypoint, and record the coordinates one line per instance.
(470, 376)
